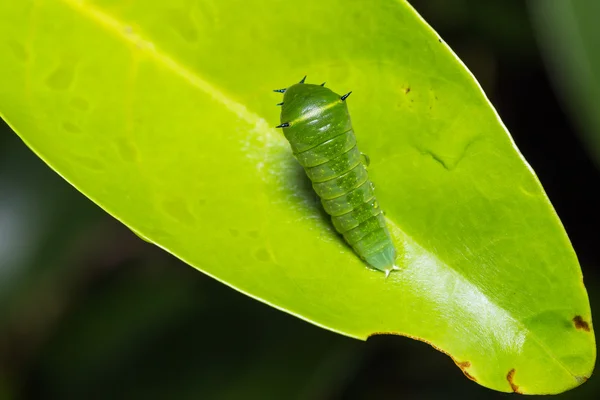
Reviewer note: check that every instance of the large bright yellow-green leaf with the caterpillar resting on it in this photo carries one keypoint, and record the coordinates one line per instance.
(163, 114)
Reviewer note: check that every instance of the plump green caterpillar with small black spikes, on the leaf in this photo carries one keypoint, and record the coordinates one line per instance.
(316, 122)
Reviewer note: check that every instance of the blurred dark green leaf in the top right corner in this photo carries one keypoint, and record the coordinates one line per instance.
(569, 34)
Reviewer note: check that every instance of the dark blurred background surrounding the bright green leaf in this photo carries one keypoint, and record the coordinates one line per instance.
(88, 310)
